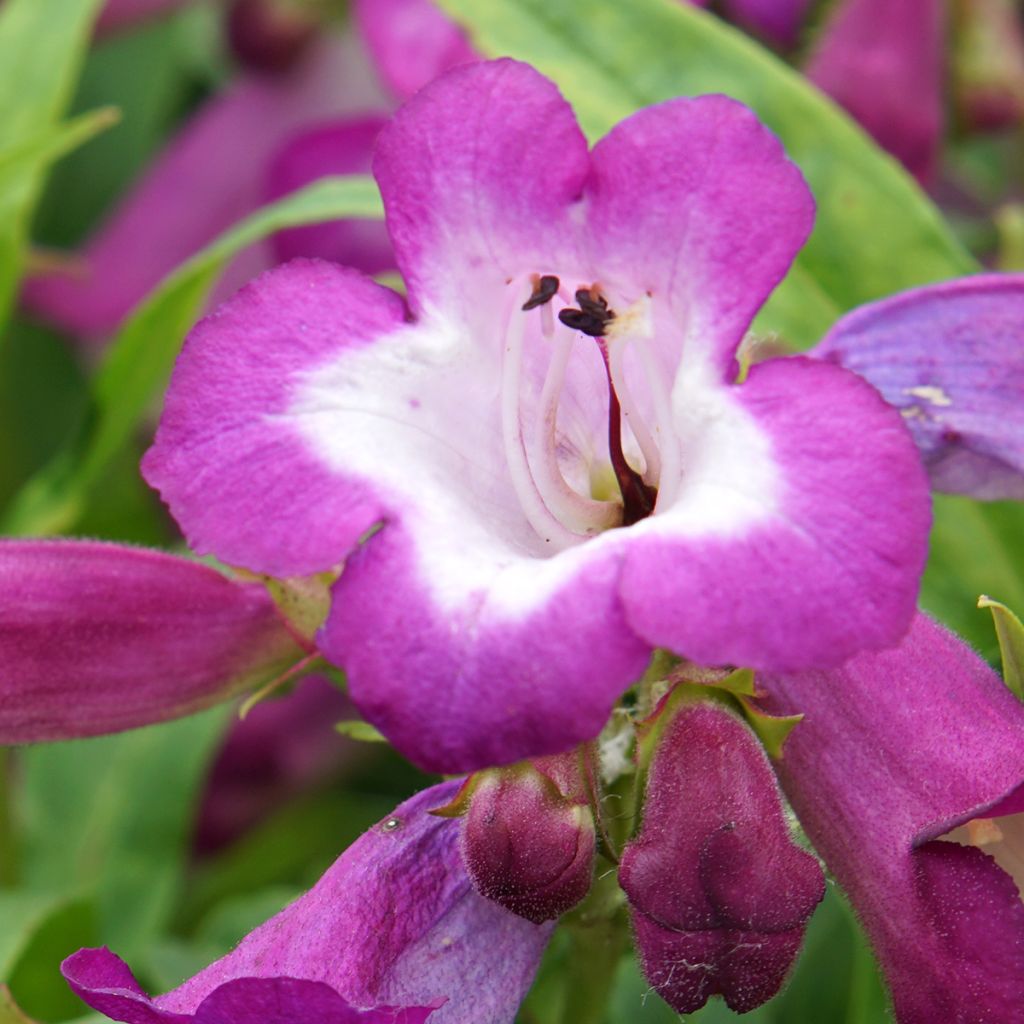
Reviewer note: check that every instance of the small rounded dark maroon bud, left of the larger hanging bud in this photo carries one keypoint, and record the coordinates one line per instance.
(529, 835)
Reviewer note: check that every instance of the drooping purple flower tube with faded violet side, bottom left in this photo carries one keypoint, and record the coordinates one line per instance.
(395, 923)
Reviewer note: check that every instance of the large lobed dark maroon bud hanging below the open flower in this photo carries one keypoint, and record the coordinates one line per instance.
(720, 895)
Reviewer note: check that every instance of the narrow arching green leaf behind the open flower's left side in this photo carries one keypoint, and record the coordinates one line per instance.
(139, 364)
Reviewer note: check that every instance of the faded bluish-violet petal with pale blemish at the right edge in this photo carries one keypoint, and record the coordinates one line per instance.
(950, 358)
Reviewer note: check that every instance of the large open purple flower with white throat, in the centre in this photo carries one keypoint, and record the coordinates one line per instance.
(542, 467)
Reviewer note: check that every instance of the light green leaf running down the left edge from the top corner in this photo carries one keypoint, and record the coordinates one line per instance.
(41, 47)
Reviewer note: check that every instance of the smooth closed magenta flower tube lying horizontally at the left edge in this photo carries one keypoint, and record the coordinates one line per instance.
(97, 638)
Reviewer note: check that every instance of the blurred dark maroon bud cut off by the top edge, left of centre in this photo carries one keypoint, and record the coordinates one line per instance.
(272, 35)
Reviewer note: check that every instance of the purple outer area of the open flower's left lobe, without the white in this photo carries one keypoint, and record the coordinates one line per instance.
(291, 519)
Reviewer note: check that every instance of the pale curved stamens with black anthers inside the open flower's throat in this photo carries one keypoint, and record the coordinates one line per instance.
(560, 514)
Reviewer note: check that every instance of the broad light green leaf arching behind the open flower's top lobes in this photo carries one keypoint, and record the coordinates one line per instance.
(876, 231)
